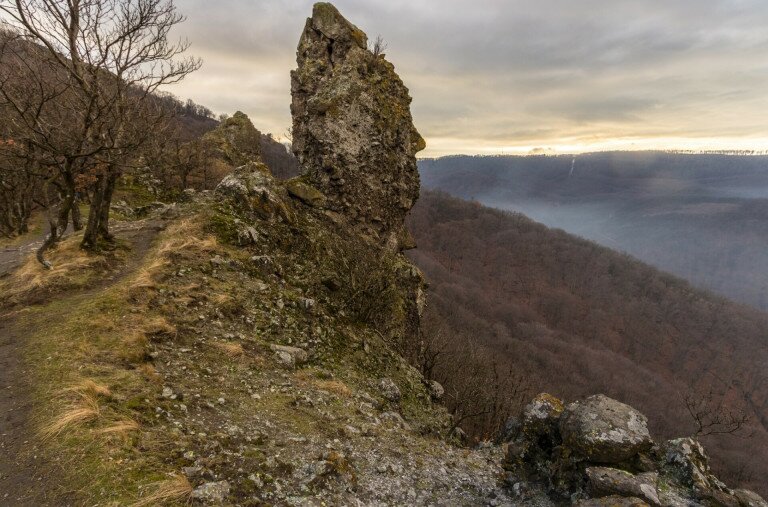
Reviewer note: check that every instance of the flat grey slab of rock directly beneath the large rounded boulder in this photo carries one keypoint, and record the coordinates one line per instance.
(610, 481)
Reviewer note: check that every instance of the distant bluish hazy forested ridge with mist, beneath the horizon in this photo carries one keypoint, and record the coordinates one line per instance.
(703, 217)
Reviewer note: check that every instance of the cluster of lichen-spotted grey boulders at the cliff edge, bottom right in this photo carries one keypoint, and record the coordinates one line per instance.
(598, 452)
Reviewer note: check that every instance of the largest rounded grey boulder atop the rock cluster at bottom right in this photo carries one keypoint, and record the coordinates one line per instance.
(603, 430)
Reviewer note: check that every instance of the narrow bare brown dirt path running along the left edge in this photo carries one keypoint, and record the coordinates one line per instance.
(26, 478)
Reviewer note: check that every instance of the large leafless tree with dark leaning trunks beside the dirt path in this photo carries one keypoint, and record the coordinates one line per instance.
(96, 66)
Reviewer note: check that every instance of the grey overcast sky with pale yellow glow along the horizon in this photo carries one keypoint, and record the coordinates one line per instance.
(493, 76)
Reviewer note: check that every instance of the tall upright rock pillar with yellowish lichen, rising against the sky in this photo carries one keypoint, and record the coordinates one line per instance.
(352, 128)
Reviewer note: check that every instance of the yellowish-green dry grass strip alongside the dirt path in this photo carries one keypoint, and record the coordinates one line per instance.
(95, 388)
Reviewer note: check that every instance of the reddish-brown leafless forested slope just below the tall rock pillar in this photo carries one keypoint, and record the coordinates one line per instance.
(575, 318)
